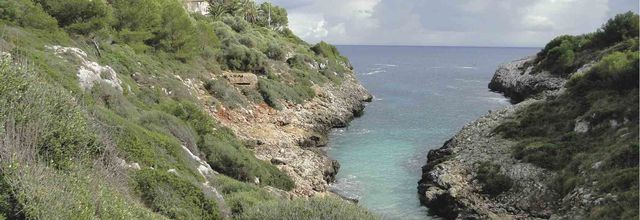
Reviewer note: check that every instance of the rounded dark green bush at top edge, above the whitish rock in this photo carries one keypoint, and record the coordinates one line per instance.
(80, 16)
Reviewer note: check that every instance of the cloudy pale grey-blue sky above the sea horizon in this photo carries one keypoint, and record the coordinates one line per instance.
(523, 23)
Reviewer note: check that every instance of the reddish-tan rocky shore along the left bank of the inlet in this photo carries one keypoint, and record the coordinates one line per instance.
(289, 138)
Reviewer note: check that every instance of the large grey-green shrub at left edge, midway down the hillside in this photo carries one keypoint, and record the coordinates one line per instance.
(27, 101)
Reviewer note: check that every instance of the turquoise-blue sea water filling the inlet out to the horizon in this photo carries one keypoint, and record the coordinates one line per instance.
(423, 96)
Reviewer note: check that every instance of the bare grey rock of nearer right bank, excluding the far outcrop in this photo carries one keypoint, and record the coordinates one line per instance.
(449, 188)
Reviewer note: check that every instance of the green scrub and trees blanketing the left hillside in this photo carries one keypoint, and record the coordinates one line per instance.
(63, 146)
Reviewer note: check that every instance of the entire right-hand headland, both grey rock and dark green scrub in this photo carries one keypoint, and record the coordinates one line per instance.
(567, 150)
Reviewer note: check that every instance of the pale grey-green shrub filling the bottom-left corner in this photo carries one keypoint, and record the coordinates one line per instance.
(80, 192)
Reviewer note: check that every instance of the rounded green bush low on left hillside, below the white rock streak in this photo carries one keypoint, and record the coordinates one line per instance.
(173, 196)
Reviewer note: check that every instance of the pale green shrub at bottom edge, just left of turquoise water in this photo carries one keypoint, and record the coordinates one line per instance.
(314, 208)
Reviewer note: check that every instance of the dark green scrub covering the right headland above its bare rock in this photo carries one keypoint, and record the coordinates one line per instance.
(589, 134)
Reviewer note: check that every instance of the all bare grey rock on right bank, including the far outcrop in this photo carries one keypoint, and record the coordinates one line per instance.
(449, 185)
